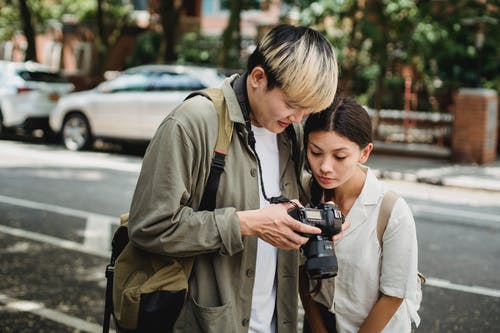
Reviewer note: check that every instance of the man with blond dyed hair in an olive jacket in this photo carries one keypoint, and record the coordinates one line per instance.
(245, 271)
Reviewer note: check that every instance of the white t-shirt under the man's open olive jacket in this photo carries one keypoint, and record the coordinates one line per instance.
(263, 319)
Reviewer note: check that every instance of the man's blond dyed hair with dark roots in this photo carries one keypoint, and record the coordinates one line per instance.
(301, 62)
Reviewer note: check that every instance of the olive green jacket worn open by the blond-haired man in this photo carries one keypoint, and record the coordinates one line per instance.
(162, 220)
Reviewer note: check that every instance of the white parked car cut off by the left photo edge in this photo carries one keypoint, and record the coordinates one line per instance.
(29, 92)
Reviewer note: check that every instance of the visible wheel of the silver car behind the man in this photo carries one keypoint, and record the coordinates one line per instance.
(76, 133)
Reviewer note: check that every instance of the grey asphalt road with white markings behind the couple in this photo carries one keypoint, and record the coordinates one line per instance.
(58, 210)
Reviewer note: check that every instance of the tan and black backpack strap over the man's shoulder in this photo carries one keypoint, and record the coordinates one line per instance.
(225, 132)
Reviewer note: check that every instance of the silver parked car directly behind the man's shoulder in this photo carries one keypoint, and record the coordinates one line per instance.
(129, 107)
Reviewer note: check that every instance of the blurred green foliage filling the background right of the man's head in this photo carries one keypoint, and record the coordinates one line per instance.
(374, 40)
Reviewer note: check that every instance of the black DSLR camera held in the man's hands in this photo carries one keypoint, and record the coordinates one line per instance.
(321, 261)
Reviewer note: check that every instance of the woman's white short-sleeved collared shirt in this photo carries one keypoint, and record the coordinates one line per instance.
(364, 271)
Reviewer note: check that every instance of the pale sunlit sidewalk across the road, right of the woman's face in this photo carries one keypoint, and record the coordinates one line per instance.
(435, 170)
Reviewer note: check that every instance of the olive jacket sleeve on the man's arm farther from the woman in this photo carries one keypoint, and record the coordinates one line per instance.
(171, 182)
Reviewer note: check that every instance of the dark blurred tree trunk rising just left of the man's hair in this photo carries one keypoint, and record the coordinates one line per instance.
(230, 53)
